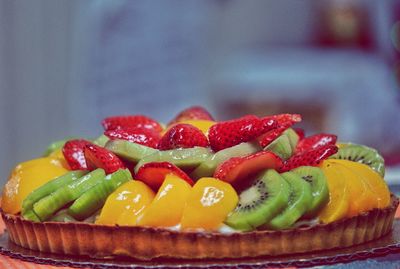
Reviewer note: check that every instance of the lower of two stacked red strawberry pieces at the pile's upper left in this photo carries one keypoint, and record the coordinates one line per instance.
(143, 136)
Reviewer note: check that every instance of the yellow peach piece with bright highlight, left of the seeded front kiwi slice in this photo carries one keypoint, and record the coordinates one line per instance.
(209, 203)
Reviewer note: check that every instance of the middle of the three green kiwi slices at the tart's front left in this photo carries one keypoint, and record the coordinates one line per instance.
(48, 205)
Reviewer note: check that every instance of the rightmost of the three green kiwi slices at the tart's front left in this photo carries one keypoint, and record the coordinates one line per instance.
(92, 200)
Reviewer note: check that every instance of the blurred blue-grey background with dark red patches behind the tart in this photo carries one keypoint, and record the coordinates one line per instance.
(66, 64)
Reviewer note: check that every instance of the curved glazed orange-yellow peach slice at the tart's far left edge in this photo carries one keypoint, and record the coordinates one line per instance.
(26, 177)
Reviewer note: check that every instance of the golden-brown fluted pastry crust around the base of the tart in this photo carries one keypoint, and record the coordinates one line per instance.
(144, 243)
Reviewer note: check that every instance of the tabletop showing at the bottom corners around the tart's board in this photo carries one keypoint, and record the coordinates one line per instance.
(383, 262)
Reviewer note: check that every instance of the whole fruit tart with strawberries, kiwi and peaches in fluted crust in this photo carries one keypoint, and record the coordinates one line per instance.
(198, 189)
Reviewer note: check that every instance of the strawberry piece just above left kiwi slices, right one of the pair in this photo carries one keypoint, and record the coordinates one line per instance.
(99, 157)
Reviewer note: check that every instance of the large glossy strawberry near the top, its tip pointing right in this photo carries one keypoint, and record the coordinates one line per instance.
(230, 133)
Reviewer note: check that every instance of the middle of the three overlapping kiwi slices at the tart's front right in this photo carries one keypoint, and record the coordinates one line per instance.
(299, 201)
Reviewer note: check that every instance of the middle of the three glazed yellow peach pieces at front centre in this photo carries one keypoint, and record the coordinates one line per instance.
(167, 207)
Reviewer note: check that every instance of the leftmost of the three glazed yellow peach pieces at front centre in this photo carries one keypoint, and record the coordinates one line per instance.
(125, 204)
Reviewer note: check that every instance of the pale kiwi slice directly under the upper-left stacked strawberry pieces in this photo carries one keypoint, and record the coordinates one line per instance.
(129, 150)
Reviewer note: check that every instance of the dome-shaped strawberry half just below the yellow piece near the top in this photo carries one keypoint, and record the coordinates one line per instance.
(182, 136)
